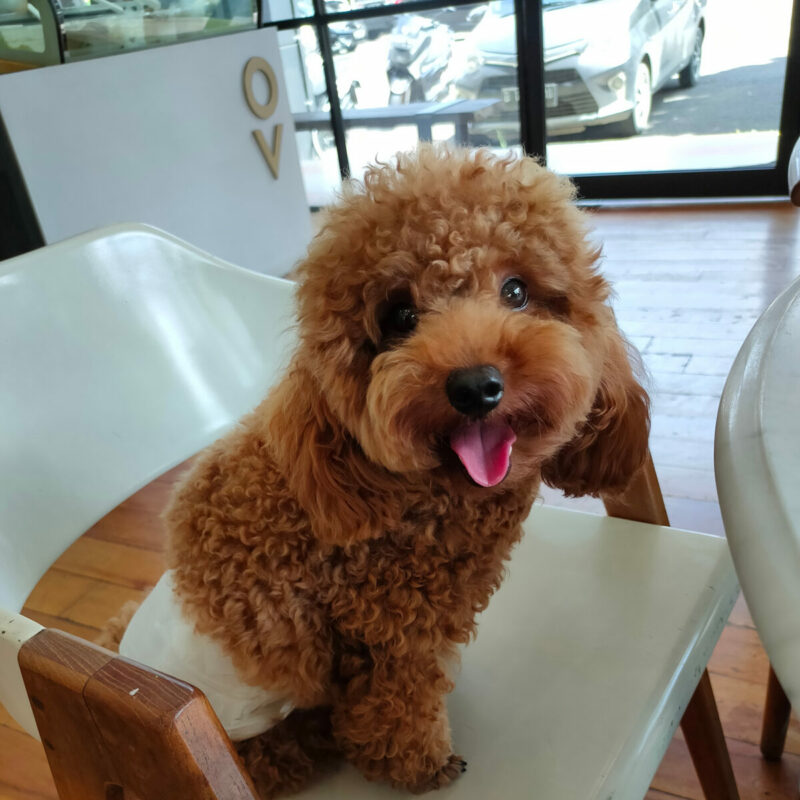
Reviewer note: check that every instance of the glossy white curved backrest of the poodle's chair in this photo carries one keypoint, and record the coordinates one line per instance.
(122, 352)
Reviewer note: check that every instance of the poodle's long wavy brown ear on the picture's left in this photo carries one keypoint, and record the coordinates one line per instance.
(345, 496)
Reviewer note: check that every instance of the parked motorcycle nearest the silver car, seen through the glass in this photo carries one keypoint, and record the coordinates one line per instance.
(419, 55)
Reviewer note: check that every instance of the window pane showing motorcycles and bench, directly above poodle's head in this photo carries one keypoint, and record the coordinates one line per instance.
(432, 75)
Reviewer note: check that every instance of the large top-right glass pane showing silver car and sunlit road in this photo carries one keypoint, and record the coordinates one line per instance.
(666, 85)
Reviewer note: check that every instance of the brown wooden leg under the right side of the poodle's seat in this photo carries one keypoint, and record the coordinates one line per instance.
(706, 742)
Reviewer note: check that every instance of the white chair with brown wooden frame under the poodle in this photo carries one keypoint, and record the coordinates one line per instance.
(125, 351)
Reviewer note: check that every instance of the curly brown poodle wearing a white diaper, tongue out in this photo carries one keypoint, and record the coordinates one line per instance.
(456, 348)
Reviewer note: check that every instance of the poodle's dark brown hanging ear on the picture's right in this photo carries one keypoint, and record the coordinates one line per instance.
(611, 445)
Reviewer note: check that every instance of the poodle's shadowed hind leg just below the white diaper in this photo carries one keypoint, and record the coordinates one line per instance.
(289, 755)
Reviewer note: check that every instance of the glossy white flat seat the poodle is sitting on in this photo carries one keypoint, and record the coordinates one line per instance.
(584, 662)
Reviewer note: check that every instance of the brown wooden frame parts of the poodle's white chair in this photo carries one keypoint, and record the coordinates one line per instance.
(115, 730)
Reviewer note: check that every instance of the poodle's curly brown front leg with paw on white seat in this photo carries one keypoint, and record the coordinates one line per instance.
(392, 724)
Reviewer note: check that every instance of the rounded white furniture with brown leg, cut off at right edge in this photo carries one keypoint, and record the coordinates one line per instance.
(757, 464)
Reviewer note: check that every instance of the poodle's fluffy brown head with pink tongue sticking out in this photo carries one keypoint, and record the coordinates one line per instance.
(451, 313)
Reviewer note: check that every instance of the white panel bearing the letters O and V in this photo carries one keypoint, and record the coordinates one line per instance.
(163, 136)
